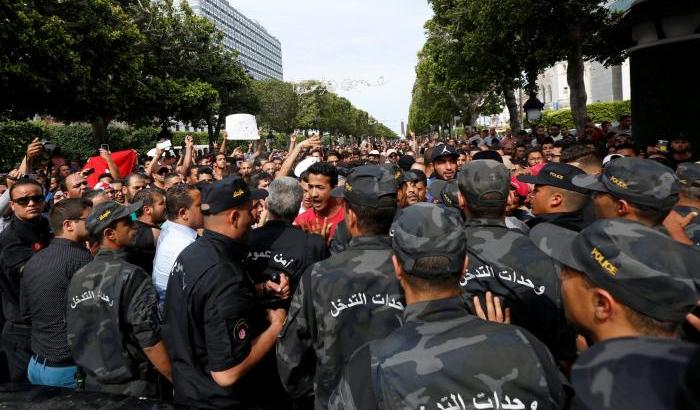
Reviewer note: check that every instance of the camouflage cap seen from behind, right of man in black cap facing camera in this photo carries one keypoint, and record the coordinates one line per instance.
(481, 177)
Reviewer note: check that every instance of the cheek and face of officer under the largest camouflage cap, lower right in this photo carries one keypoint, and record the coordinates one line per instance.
(576, 297)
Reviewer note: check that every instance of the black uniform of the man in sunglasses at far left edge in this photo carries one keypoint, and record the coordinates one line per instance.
(18, 242)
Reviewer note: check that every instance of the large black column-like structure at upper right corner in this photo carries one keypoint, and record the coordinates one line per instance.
(663, 38)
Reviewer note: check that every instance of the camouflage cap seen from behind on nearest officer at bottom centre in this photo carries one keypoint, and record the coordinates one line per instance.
(424, 230)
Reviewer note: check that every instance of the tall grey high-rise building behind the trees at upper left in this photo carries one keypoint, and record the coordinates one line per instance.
(259, 51)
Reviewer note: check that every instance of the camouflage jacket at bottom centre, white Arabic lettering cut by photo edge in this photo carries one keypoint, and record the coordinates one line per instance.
(445, 358)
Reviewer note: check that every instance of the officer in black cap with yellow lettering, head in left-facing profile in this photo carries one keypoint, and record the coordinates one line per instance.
(555, 199)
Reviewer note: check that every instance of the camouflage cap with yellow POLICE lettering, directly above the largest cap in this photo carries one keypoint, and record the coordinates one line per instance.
(639, 181)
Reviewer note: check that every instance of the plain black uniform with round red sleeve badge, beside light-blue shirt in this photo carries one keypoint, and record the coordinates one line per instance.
(210, 321)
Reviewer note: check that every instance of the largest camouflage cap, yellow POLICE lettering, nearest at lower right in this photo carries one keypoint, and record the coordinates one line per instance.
(639, 266)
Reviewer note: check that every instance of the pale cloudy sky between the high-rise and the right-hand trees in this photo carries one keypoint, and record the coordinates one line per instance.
(367, 49)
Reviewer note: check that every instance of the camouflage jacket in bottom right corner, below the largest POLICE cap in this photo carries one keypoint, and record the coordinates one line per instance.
(630, 373)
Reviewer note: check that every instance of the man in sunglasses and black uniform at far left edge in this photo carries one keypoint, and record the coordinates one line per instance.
(26, 234)
